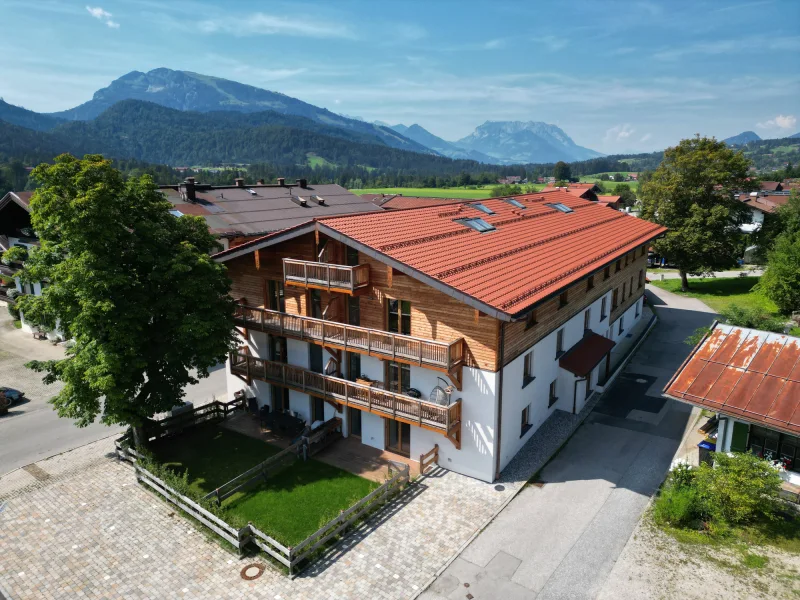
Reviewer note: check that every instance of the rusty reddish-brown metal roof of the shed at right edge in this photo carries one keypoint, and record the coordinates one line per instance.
(745, 373)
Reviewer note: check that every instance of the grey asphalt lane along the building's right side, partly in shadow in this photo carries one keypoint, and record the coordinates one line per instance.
(560, 537)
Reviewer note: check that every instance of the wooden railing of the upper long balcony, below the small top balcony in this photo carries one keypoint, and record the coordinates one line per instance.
(390, 346)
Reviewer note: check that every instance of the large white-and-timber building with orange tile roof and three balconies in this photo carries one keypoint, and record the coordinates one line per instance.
(464, 326)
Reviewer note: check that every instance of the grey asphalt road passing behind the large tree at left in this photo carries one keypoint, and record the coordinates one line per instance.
(32, 430)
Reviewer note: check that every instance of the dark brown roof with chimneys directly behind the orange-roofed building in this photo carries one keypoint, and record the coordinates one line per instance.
(241, 212)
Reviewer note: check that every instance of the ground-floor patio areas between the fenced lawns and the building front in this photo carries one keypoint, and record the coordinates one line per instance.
(348, 454)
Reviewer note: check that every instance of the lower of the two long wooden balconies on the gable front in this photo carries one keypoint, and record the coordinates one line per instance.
(420, 413)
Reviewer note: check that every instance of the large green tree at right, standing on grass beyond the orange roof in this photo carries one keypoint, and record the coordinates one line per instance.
(692, 193)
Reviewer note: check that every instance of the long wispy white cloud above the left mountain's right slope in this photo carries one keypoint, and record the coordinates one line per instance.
(264, 24)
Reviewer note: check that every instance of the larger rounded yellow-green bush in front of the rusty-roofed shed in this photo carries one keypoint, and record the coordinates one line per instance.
(738, 488)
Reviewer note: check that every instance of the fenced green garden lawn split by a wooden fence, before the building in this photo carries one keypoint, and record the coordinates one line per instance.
(289, 506)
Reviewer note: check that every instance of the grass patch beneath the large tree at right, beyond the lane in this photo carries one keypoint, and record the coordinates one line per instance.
(720, 293)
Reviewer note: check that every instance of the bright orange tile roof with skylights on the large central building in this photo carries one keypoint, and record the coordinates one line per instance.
(532, 253)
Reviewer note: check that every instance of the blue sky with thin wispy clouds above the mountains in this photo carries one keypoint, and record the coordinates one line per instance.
(616, 76)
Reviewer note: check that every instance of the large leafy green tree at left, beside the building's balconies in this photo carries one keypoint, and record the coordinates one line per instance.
(133, 287)
